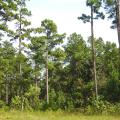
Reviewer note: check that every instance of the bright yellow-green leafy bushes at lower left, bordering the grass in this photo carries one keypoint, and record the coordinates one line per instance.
(30, 100)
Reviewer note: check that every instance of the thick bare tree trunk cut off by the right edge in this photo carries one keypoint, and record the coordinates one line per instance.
(118, 28)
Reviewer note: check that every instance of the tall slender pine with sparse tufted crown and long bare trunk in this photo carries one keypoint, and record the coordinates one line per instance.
(94, 6)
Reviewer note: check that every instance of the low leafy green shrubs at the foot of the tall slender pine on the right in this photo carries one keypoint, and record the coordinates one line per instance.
(102, 107)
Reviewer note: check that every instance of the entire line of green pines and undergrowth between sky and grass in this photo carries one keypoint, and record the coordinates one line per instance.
(37, 71)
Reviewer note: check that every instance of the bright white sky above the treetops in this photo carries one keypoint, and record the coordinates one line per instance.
(64, 13)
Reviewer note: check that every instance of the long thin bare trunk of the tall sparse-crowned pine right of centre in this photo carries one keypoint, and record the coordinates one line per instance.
(93, 53)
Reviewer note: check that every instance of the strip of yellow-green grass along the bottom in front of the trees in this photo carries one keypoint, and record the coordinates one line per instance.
(17, 115)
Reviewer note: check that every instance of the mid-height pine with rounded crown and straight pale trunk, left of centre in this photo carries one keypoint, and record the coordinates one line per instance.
(51, 39)
